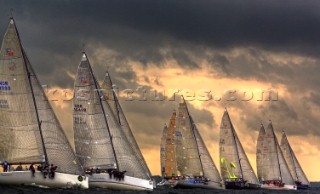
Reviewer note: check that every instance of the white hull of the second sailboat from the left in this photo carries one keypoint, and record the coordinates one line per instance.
(129, 183)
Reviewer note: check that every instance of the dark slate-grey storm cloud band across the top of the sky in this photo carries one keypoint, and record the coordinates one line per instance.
(139, 28)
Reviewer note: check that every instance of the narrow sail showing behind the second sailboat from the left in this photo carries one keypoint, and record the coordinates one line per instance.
(119, 116)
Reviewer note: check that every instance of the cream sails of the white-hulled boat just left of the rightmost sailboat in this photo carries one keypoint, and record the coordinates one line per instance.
(274, 165)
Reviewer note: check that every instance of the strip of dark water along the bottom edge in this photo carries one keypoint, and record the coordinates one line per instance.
(33, 190)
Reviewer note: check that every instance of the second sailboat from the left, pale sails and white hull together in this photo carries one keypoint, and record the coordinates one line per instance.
(102, 145)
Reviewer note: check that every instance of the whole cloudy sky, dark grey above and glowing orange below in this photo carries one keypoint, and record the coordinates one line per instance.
(222, 46)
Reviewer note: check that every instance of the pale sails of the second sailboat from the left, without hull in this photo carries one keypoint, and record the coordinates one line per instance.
(100, 140)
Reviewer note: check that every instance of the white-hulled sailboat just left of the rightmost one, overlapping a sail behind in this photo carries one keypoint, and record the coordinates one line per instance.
(273, 170)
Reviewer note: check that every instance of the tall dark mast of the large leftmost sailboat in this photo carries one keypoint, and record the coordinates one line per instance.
(31, 87)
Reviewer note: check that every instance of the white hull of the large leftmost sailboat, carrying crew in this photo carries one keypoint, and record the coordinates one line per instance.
(60, 180)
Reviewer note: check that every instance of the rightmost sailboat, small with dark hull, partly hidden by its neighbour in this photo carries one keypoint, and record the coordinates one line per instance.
(296, 171)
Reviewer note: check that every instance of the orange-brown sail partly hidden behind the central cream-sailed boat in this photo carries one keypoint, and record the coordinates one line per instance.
(170, 163)
